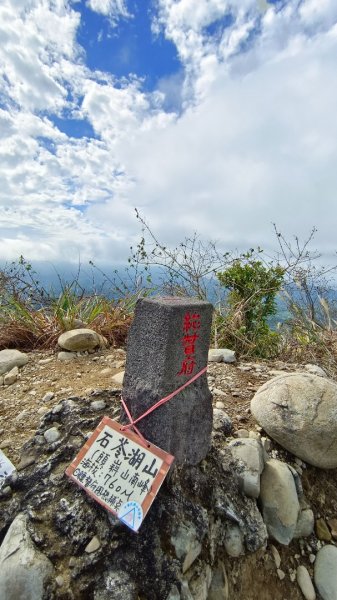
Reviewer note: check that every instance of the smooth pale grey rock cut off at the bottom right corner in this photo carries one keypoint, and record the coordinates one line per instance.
(325, 572)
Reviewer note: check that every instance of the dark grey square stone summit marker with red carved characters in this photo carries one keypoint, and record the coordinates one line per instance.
(167, 346)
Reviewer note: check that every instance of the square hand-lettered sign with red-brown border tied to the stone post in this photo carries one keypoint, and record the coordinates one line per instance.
(120, 471)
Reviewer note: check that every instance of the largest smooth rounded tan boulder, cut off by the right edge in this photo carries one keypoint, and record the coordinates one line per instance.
(299, 411)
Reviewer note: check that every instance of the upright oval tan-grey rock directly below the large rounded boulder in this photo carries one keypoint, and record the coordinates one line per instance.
(280, 505)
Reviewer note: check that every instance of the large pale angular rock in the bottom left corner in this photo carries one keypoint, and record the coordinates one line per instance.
(24, 570)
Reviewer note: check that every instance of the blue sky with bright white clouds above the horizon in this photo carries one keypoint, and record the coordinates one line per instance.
(210, 116)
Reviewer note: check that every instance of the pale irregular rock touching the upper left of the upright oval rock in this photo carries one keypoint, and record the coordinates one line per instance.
(250, 454)
